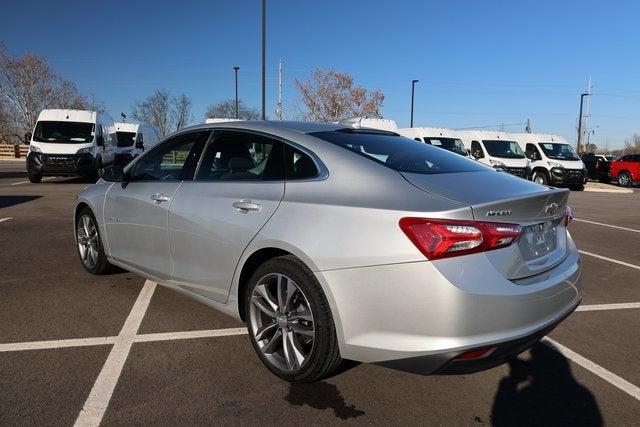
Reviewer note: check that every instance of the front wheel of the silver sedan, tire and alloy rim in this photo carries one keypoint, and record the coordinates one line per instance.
(90, 248)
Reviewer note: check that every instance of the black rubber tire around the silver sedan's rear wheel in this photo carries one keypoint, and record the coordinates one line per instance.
(324, 359)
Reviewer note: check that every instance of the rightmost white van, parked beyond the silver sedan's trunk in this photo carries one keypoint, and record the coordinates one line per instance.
(553, 160)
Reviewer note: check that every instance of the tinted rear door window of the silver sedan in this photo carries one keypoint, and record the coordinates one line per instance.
(241, 156)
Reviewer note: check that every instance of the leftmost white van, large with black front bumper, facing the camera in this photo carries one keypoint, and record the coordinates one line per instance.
(69, 142)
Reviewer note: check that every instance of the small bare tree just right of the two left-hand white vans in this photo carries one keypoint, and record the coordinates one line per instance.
(162, 112)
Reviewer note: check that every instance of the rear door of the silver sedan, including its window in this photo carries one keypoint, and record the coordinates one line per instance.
(239, 185)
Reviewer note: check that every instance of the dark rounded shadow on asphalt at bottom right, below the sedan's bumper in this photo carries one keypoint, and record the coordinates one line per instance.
(542, 391)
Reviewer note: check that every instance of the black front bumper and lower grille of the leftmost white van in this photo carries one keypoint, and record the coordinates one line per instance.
(60, 164)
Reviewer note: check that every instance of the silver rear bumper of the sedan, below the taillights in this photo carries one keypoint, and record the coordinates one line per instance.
(417, 318)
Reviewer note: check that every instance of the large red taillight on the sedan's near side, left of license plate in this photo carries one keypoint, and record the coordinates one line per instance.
(437, 238)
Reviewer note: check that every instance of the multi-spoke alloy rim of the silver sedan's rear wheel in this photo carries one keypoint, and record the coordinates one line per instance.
(281, 322)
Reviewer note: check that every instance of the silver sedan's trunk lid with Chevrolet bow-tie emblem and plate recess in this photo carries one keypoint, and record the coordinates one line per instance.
(498, 197)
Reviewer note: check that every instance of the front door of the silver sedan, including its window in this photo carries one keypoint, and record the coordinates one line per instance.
(136, 211)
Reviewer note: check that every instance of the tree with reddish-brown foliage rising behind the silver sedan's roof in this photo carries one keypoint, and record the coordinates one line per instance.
(330, 95)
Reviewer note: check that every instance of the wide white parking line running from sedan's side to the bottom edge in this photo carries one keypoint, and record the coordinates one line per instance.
(98, 400)
